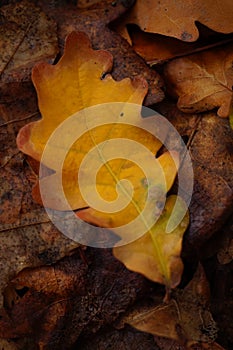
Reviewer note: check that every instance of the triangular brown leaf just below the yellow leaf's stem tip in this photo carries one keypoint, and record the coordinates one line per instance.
(185, 318)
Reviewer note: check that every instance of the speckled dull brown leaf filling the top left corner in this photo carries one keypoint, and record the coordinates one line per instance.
(27, 36)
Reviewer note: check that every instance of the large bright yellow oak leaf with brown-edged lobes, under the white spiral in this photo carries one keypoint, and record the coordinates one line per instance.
(102, 155)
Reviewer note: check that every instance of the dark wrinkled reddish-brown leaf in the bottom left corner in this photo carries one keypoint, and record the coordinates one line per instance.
(40, 303)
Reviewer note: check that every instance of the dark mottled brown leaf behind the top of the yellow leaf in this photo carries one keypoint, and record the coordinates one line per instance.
(95, 23)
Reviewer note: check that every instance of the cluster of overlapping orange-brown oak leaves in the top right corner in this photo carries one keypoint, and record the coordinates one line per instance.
(201, 81)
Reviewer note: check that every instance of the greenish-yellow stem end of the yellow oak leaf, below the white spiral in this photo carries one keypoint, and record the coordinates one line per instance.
(157, 253)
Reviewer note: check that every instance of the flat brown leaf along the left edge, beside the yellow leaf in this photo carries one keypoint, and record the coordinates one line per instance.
(28, 238)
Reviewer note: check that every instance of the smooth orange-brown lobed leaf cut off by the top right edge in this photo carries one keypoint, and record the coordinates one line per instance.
(178, 19)
